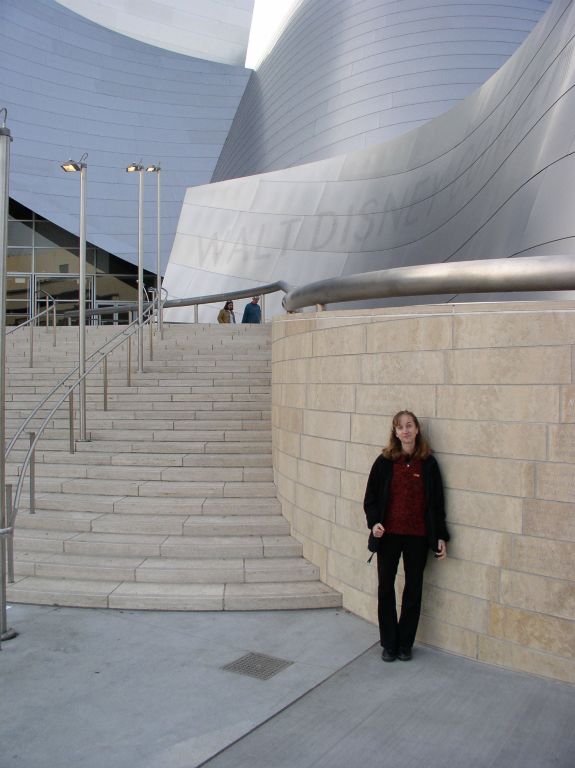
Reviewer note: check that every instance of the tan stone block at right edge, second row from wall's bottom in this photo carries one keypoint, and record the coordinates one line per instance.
(545, 633)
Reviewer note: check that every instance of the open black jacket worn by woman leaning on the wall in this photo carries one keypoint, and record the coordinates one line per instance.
(377, 497)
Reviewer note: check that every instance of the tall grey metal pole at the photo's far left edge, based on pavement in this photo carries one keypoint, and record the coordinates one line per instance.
(5, 139)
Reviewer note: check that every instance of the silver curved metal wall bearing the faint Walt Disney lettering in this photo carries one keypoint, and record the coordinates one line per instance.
(492, 178)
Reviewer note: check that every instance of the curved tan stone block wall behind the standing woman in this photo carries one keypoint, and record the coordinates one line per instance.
(494, 387)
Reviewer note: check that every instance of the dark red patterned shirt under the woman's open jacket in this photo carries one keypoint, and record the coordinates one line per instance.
(406, 508)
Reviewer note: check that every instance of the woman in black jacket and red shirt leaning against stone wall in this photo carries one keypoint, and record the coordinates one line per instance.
(405, 511)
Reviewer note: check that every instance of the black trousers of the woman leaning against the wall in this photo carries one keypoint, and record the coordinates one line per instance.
(396, 634)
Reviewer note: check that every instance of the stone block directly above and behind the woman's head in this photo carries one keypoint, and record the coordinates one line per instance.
(390, 399)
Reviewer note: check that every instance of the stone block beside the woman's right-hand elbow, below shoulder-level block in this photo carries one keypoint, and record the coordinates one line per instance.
(485, 510)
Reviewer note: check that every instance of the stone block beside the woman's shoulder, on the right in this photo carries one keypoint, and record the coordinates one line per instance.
(498, 476)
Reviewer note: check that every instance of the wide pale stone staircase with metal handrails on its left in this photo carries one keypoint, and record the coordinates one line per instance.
(171, 503)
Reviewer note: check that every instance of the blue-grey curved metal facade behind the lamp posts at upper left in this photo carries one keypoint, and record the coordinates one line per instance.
(71, 87)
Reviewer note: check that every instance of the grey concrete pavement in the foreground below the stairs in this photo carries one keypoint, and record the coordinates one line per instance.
(122, 689)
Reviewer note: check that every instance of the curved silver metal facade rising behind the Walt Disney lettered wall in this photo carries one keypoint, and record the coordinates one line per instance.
(348, 74)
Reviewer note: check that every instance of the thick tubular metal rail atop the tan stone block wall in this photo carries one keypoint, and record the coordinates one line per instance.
(527, 273)
